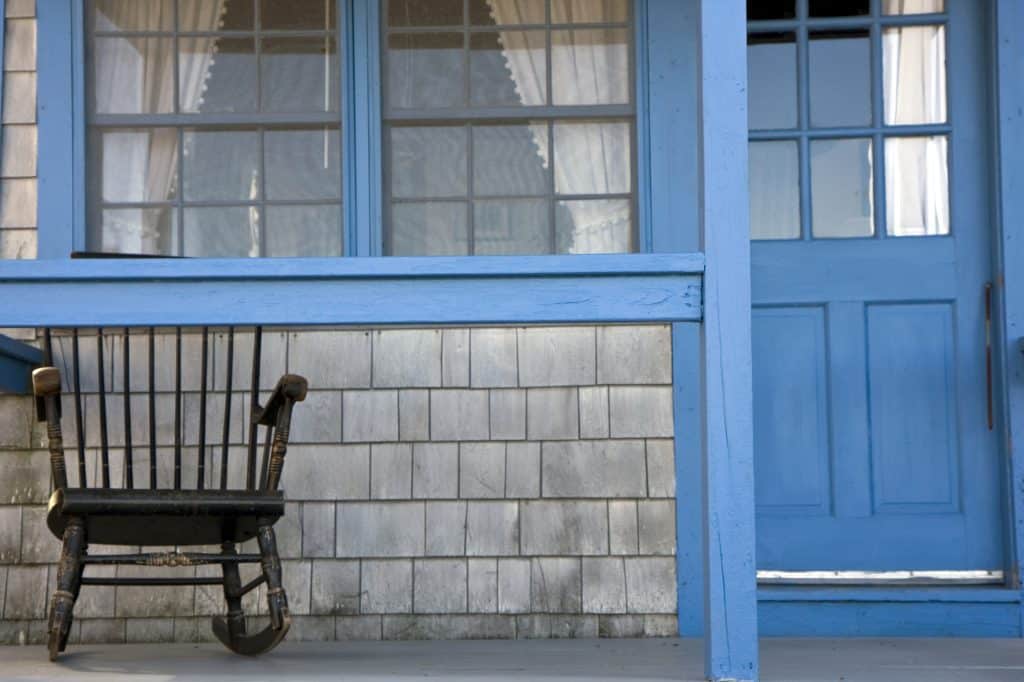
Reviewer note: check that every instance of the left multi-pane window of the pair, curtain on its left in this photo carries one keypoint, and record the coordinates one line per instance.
(215, 127)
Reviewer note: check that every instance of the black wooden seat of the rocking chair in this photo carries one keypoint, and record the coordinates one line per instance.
(116, 517)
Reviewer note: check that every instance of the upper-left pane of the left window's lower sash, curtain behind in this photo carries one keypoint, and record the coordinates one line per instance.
(138, 165)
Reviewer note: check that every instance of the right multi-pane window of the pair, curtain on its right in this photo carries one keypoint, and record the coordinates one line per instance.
(509, 127)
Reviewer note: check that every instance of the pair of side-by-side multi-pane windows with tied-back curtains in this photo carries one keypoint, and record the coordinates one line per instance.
(215, 127)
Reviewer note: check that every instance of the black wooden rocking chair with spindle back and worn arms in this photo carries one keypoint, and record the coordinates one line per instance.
(167, 511)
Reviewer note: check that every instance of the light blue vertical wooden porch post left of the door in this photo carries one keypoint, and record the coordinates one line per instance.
(731, 585)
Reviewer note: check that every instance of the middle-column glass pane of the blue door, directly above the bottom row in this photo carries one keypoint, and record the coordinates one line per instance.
(841, 58)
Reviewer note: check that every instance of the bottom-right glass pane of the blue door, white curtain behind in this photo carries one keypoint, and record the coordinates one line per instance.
(917, 187)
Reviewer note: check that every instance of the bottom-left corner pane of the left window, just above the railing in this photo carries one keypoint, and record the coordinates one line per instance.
(147, 231)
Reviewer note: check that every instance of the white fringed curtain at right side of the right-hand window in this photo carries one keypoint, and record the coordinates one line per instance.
(589, 67)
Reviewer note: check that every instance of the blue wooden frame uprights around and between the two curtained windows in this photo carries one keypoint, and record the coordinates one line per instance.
(666, 129)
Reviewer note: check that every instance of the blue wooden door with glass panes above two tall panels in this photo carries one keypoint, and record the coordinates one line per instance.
(871, 258)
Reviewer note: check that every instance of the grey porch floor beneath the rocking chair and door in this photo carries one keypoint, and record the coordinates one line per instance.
(783, 660)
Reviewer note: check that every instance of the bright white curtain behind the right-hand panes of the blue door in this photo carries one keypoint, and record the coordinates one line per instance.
(917, 196)
